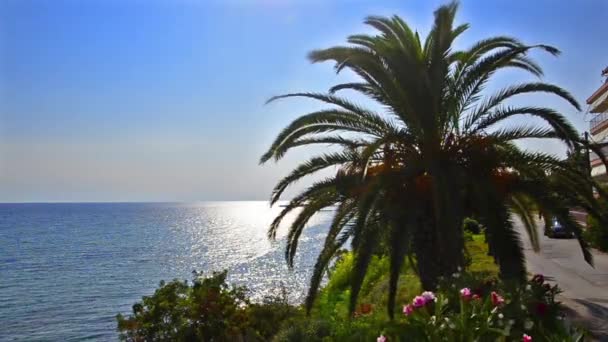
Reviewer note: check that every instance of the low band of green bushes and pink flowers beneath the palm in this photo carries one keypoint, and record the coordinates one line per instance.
(209, 310)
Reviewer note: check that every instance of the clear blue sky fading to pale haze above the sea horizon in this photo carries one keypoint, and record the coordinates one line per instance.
(163, 100)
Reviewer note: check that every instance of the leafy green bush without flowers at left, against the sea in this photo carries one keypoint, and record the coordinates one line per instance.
(208, 309)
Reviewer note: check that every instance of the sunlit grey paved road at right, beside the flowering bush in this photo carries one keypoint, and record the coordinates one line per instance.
(585, 287)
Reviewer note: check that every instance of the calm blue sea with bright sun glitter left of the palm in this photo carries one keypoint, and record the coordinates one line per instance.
(66, 270)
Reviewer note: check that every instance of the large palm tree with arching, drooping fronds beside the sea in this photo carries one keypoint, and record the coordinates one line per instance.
(441, 150)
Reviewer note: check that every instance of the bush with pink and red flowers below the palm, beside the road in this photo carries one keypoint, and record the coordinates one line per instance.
(485, 312)
